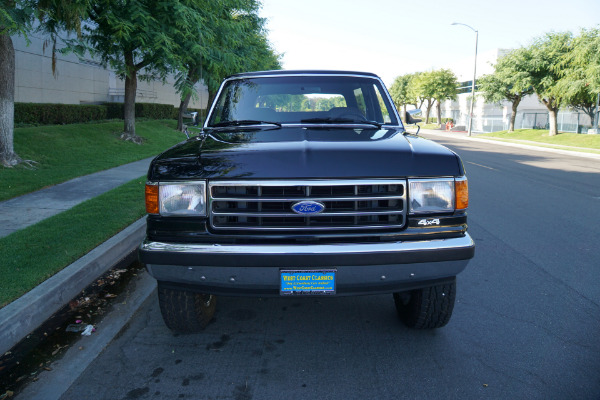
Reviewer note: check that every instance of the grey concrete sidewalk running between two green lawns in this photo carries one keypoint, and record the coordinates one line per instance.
(23, 211)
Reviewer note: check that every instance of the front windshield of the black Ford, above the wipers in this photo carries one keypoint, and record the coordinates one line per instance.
(303, 100)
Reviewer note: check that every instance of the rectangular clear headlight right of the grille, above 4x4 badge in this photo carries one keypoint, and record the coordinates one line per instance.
(431, 195)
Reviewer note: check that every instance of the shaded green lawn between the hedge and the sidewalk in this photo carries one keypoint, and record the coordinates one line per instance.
(63, 152)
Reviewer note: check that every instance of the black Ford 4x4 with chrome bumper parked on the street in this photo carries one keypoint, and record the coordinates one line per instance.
(306, 183)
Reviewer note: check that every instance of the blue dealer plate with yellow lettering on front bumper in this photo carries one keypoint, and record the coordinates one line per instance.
(307, 282)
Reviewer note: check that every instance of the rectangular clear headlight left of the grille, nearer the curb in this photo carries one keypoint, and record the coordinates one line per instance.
(185, 199)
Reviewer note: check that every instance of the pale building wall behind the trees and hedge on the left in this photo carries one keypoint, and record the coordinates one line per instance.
(81, 80)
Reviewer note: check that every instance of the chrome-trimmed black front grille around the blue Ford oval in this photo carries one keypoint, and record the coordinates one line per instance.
(349, 205)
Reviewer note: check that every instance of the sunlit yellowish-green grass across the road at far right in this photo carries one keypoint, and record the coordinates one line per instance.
(541, 136)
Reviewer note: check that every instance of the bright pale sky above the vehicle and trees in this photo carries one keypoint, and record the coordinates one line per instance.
(392, 38)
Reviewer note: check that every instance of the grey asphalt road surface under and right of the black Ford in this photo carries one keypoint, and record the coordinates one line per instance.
(526, 324)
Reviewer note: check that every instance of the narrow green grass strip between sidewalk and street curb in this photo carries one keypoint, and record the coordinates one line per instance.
(32, 255)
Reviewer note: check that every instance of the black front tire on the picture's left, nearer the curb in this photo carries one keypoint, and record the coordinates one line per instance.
(184, 311)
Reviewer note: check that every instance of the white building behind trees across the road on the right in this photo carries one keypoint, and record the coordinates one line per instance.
(493, 117)
